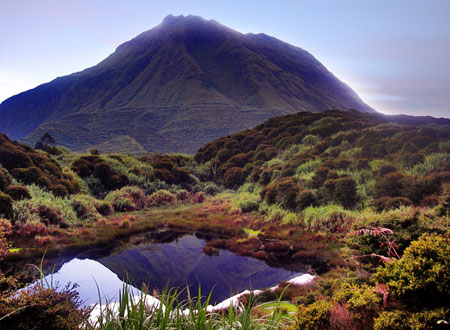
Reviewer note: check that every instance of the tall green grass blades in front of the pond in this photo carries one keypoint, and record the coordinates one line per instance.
(141, 312)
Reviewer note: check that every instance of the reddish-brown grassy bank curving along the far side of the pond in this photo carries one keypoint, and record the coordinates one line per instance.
(285, 246)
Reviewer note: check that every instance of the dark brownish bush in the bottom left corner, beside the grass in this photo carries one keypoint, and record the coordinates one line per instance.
(37, 307)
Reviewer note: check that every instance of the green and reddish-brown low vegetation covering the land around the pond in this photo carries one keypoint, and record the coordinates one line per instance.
(360, 199)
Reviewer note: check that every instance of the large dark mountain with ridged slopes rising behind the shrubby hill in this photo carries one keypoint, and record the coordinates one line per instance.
(174, 88)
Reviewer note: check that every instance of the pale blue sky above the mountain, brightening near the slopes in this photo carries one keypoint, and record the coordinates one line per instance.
(394, 54)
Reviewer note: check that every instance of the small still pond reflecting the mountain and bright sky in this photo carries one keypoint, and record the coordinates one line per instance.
(176, 264)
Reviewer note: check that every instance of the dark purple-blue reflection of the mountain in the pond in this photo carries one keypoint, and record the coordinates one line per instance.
(183, 263)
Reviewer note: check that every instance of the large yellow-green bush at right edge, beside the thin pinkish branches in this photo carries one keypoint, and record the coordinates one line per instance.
(420, 277)
